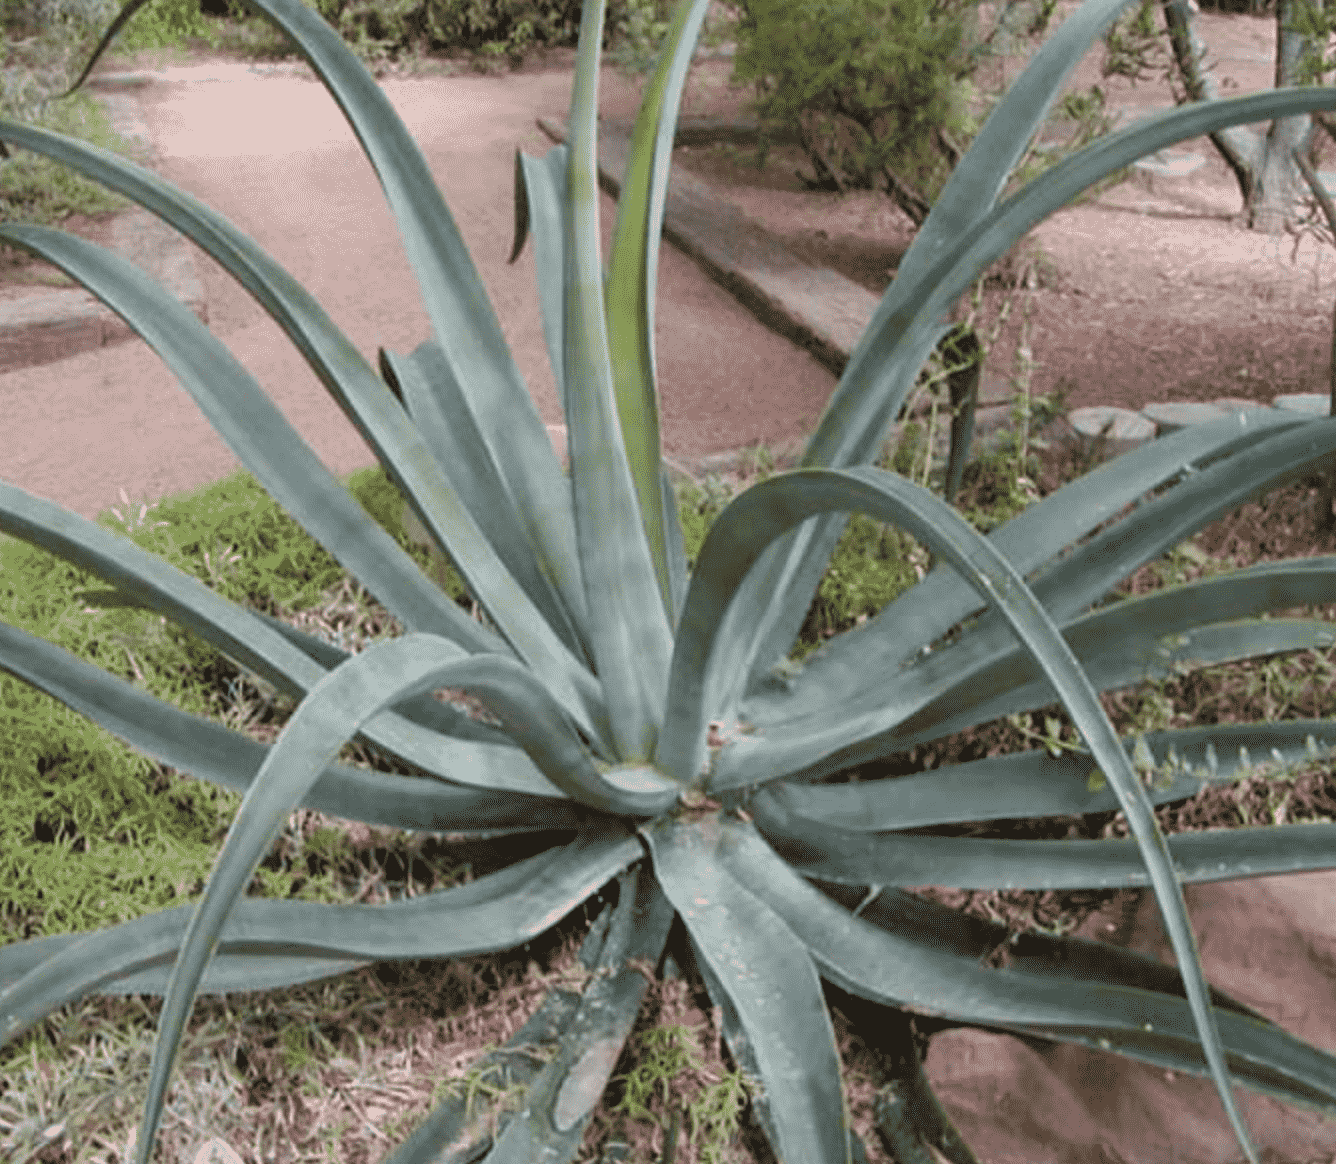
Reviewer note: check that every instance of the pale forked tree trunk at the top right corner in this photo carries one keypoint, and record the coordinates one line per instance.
(1269, 180)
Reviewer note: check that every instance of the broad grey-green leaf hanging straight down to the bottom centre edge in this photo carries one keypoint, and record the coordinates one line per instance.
(760, 964)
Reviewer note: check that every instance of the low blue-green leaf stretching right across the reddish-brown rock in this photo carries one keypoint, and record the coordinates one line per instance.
(898, 955)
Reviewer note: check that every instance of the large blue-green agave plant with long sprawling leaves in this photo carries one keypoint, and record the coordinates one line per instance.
(650, 717)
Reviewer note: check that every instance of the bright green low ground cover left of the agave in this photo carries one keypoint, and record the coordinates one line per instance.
(75, 796)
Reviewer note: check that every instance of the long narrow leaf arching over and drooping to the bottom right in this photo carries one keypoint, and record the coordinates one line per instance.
(765, 513)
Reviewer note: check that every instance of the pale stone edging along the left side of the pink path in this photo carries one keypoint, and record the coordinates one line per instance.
(53, 325)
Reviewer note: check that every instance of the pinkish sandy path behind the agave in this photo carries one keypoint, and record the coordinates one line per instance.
(275, 154)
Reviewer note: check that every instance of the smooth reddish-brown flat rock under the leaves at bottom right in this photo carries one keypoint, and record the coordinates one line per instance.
(1266, 941)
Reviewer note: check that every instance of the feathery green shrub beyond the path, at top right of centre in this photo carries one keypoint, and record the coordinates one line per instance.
(888, 104)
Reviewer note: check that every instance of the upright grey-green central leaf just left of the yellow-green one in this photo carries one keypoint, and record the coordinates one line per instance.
(631, 637)
